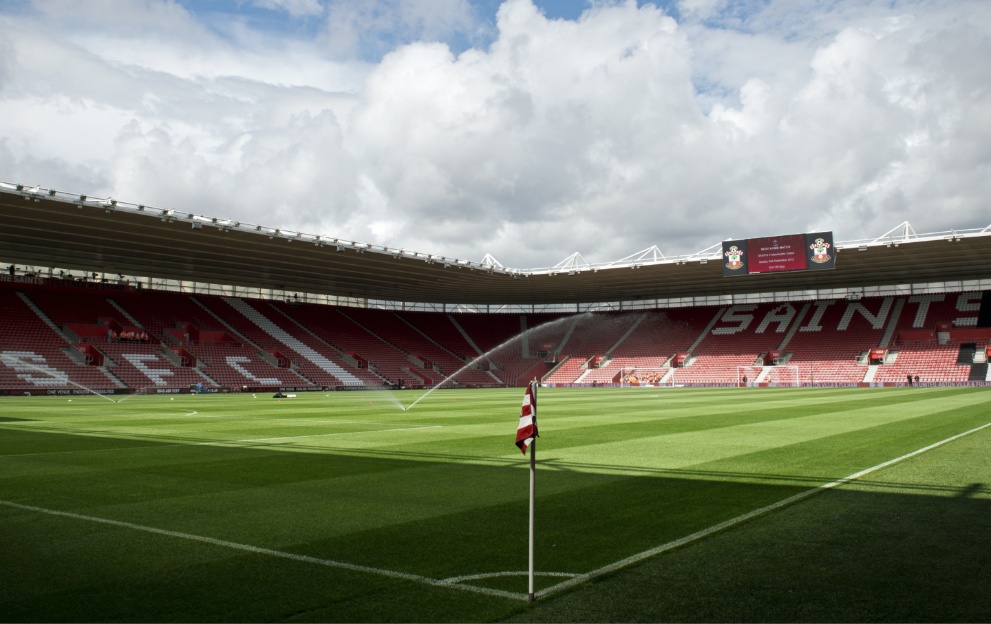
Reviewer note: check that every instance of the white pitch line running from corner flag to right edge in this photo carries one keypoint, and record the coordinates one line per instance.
(622, 563)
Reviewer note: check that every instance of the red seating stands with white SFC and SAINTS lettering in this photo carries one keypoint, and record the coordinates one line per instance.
(57, 337)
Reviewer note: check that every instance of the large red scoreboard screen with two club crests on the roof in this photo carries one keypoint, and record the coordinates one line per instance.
(791, 252)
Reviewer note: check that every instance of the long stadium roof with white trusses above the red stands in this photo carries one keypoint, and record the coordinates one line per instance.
(74, 232)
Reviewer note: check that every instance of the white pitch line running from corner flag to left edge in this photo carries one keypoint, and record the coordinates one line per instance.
(330, 563)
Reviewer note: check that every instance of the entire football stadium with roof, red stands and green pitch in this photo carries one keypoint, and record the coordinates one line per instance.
(209, 420)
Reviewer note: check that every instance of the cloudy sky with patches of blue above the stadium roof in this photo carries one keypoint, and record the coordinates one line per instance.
(528, 129)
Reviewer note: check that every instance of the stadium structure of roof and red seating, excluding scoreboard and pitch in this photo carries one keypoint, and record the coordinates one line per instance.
(119, 297)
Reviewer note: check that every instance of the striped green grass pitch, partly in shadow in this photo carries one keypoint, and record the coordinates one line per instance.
(229, 508)
